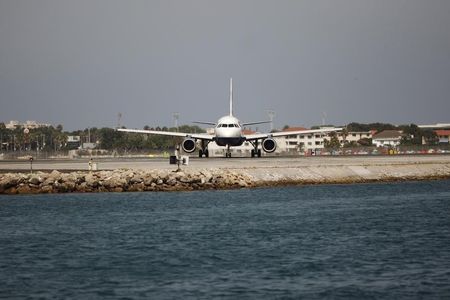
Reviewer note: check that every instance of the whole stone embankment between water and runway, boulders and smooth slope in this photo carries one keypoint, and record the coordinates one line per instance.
(233, 177)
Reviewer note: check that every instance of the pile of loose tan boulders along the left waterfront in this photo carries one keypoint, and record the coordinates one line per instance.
(121, 181)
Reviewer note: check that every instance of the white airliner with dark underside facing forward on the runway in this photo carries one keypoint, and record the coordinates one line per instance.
(228, 132)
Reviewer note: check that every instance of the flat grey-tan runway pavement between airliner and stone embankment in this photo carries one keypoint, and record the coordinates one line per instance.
(225, 163)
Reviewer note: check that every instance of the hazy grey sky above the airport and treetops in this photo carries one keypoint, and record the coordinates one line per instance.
(81, 63)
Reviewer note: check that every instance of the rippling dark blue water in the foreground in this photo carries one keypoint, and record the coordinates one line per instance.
(359, 241)
